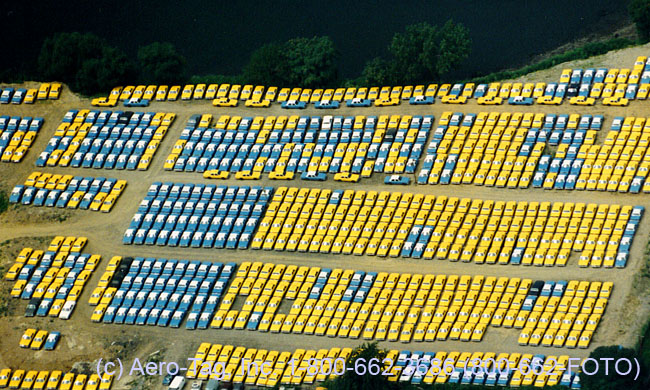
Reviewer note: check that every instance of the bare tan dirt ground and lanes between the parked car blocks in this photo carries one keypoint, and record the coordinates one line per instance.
(84, 341)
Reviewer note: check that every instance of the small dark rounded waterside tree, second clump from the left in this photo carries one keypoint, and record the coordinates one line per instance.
(160, 63)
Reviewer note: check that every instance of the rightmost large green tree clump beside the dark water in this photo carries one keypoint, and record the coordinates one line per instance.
(422, 53)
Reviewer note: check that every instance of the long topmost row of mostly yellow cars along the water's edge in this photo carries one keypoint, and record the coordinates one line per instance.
(614, 86)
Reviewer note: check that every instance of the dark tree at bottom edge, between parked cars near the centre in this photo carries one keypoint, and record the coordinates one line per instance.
(367, 375)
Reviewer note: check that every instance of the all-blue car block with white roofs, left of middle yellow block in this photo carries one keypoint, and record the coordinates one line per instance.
(198, 215)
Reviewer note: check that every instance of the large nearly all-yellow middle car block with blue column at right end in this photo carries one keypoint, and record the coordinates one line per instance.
(413, 225)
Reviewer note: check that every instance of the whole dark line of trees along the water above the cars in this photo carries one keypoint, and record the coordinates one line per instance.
(89, 65)
